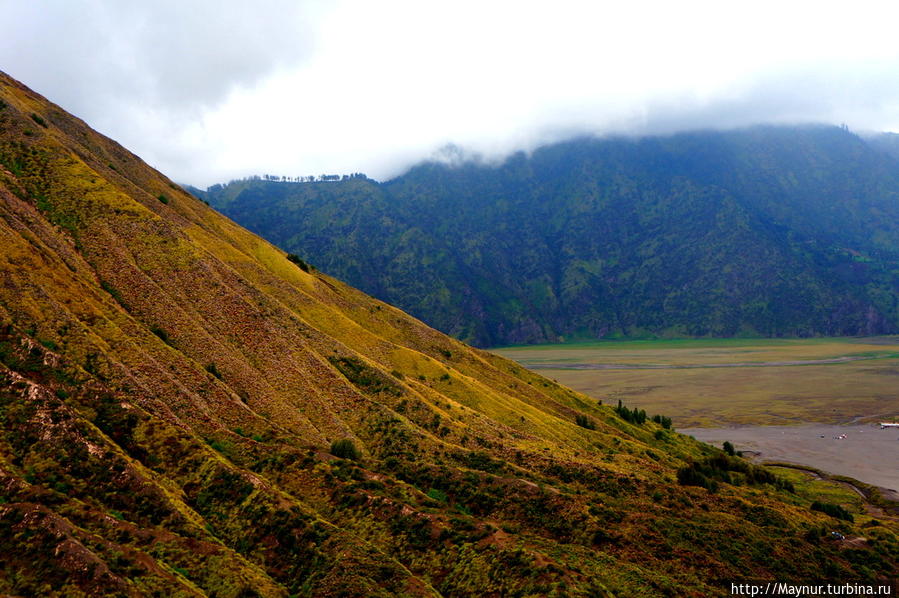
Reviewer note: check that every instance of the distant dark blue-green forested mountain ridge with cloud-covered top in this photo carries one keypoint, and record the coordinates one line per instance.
(771, 231)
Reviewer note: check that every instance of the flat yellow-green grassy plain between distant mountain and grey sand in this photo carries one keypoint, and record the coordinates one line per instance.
(851, 391)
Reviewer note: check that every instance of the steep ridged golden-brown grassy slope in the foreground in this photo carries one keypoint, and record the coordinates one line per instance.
(173, 392)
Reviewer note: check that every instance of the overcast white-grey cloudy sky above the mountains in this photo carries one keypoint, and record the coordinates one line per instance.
(209, 90)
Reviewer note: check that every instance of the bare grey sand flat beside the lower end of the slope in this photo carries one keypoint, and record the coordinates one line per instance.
(862, 451)
